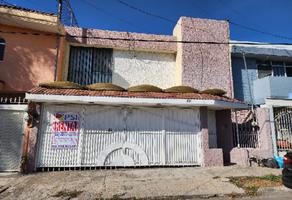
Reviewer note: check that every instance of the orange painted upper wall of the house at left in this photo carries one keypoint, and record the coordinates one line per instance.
(28, 59)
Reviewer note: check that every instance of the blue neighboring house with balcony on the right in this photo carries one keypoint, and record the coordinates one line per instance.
(266, 83)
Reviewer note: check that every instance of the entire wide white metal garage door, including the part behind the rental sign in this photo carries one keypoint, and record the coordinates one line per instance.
(114, 136)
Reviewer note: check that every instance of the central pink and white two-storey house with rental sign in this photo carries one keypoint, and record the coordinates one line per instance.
(137, 129)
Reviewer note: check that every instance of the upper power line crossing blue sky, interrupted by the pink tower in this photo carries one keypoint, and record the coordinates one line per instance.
(231, 22)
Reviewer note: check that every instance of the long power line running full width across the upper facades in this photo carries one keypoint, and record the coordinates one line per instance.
(143, 40)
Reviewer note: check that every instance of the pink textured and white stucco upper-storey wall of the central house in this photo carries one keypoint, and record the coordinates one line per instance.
(201, 66)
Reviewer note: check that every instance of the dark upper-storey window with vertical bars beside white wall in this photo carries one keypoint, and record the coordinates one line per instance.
(90, 65)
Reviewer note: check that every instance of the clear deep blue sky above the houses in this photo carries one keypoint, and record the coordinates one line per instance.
(270, 16)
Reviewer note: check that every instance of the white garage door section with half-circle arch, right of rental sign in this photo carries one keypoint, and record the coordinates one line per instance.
(141, 136)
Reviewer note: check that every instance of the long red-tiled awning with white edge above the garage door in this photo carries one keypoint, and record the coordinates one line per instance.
(45, 95)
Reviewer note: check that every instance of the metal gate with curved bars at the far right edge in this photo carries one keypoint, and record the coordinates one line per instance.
(283, 126)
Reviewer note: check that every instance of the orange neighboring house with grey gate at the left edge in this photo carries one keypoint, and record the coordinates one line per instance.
(28, 56)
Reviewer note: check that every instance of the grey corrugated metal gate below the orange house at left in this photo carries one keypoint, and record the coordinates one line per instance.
(11, 137)
